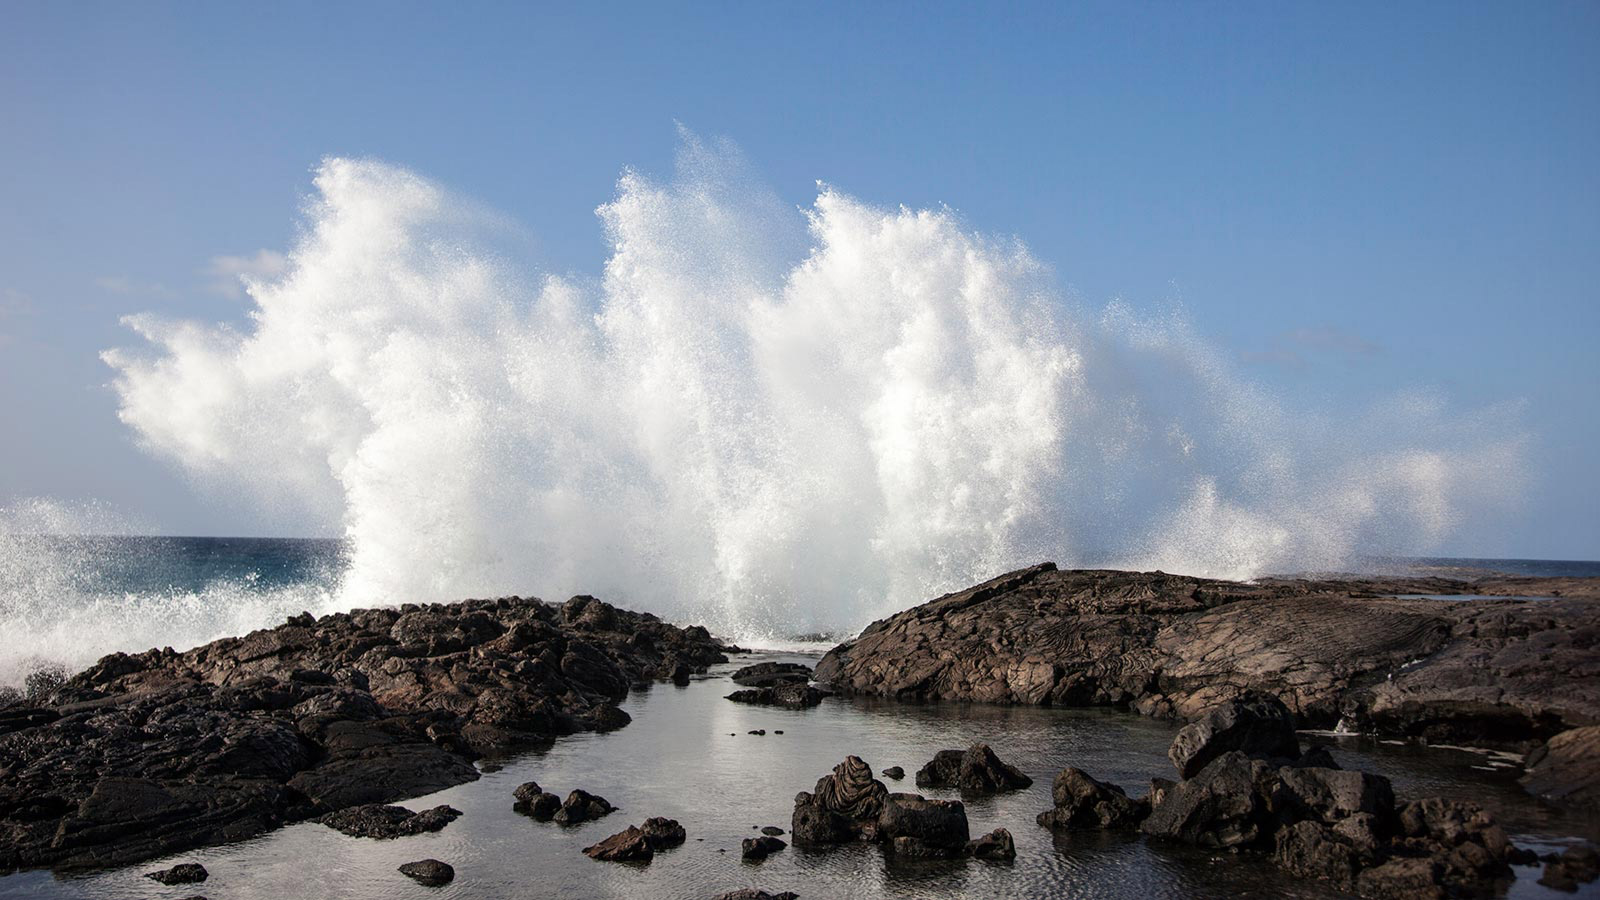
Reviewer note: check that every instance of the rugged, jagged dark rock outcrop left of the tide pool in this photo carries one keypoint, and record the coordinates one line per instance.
(154, 753)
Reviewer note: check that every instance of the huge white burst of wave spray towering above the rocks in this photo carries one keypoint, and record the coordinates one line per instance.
(762, 419)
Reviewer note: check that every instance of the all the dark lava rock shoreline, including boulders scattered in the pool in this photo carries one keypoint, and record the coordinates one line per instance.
(332, 718)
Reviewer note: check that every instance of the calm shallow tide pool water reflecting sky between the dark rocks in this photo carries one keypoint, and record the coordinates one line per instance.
(689, 757)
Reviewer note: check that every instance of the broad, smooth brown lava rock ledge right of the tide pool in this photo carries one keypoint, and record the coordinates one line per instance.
(1490, 673)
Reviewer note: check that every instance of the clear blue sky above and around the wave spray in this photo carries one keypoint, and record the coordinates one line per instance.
(1351, 199)
